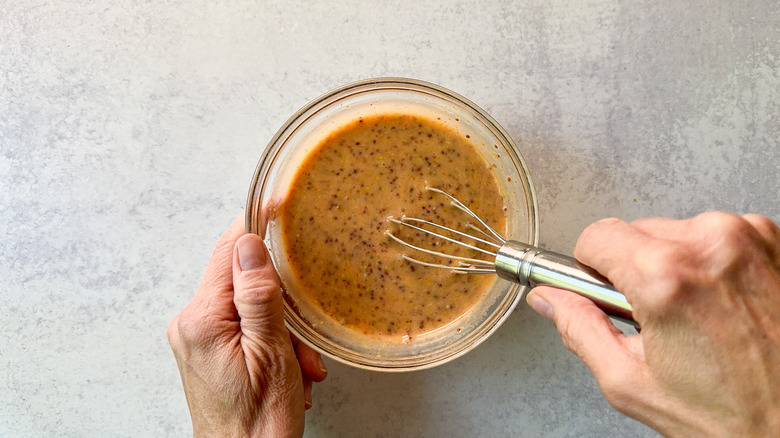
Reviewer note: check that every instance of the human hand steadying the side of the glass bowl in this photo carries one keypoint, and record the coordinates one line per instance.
(242, 371)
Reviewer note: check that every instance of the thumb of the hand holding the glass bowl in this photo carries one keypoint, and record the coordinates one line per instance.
(257, 294)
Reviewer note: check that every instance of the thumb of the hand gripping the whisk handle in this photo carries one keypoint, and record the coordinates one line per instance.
(587, 331)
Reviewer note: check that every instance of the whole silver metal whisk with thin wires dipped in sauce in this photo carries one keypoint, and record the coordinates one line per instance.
(517, 262)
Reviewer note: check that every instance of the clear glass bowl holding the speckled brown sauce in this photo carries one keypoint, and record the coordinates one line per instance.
(304, 131)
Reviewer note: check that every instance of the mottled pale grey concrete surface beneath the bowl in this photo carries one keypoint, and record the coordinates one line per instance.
(129, 132)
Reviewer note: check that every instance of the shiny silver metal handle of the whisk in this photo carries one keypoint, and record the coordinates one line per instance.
(531, 266)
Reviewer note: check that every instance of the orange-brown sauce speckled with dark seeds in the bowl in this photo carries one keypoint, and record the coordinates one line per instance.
(335, 217)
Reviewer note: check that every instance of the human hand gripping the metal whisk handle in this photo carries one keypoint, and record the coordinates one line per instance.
(706, 292)
